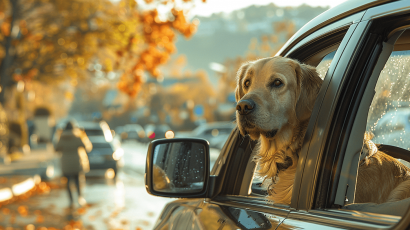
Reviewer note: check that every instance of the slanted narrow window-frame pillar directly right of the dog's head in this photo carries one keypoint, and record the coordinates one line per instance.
(315, 134)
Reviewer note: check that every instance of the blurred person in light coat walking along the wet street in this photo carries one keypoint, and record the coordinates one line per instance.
(73, 144)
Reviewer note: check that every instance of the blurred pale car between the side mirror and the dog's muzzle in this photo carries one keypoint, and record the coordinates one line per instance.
(215, 132)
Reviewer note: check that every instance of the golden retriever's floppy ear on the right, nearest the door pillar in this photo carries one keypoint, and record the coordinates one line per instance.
(309, 84)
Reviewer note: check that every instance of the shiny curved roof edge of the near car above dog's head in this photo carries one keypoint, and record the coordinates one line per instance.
(334, 14)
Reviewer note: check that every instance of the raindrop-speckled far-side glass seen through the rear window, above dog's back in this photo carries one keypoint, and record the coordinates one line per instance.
(389, 113)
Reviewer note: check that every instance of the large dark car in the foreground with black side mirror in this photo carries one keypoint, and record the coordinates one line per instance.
(361, 51)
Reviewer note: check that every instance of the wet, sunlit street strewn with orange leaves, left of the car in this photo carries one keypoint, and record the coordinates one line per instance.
(120, 204)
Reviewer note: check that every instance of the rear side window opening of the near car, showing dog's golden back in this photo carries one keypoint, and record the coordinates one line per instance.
(387, 106)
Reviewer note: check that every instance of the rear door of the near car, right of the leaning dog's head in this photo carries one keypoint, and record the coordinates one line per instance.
(363, 87)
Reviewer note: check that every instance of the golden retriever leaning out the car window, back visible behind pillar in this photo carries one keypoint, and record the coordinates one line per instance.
(275, 97)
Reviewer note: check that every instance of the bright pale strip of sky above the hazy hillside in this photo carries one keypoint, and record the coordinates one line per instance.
(227, 6)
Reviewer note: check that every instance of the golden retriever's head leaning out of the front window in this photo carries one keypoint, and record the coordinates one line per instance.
(273, 96)
